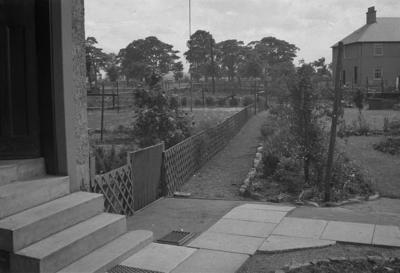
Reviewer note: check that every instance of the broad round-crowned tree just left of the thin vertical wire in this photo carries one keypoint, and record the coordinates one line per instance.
(146, 57)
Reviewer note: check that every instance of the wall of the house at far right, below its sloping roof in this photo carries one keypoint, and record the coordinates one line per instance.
(362, 56)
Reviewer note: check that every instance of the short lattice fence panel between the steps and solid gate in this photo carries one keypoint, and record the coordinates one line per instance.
(117, 188)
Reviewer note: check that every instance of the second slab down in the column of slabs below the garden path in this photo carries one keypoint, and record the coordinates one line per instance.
(240, 227)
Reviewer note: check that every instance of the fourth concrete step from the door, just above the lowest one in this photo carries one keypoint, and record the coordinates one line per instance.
(63, 248)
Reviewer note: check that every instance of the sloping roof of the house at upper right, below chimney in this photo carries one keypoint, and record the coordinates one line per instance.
(386, 29)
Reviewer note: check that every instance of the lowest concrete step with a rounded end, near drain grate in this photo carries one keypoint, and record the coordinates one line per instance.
(113, 253)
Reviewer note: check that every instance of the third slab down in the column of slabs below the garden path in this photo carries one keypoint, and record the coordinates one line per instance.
(227, 242)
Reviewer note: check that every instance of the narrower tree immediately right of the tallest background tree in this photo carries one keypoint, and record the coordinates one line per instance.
(229, 56)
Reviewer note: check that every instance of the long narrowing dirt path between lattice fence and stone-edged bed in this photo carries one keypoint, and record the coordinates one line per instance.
(222, 176)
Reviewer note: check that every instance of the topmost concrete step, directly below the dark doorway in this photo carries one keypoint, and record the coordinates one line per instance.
(13, 170)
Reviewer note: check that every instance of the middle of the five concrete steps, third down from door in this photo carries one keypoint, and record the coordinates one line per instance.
(27, 227)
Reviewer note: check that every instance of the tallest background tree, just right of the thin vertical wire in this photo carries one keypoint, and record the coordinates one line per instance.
(200, 54)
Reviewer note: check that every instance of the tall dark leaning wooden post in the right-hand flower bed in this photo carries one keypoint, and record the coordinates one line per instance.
(335, 116)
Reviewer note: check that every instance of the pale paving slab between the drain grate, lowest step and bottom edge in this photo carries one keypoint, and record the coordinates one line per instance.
(159, 257)
